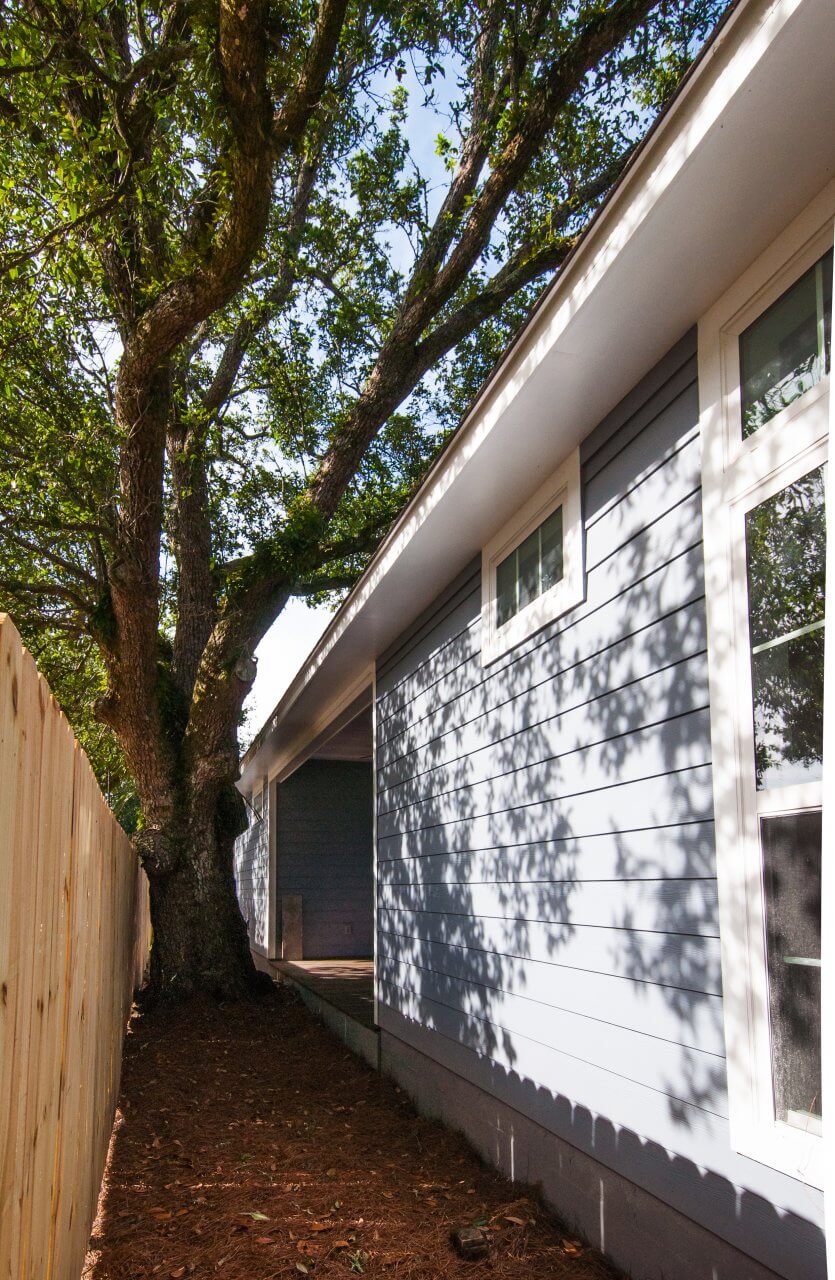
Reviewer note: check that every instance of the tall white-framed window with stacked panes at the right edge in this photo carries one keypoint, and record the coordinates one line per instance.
(764, 383)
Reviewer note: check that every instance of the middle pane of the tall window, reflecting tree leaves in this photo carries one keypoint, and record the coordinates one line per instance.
(787, 555)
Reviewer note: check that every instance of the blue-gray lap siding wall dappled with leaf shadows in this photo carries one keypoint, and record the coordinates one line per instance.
(547, 899)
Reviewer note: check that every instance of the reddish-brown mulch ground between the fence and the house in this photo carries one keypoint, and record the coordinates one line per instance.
(250, 1145)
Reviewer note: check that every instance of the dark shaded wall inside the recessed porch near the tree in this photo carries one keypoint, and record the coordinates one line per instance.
(325, 825)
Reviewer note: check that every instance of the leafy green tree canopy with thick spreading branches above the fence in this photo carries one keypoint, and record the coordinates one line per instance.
(257, 259)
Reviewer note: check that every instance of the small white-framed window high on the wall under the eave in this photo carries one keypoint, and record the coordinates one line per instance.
(533, 568)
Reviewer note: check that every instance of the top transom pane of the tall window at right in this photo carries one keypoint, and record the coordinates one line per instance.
(787, 350)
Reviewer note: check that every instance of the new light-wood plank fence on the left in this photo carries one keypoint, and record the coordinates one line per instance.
(75, 934)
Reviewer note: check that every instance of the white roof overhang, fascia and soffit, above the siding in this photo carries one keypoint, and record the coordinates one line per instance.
(578, 355)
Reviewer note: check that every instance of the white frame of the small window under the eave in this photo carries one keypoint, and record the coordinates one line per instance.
(563, 488)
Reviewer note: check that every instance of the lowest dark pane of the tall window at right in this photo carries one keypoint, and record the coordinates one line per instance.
(792, 883)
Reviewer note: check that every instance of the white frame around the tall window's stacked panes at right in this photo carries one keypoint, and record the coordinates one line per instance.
(738, 476)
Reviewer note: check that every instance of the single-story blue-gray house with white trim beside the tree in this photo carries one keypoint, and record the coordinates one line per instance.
(558, 761)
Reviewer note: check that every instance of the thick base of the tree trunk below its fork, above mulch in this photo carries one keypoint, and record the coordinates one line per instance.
(200, 938)
